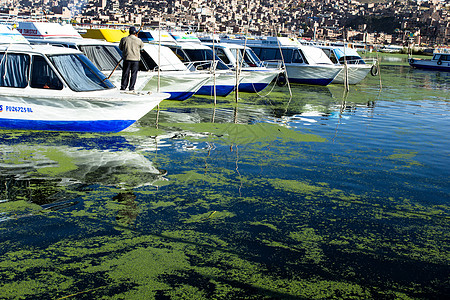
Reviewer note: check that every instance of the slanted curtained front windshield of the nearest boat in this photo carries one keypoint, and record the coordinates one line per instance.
(80, 73)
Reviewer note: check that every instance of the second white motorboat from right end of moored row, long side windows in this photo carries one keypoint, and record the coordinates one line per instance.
(304, 64)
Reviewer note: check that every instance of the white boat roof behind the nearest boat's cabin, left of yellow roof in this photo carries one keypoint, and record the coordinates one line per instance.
(47, 30)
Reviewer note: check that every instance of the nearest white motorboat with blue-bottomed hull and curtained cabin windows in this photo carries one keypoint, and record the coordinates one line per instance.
(54, 88)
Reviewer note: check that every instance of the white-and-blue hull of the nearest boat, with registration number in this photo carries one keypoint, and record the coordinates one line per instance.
(87, 112)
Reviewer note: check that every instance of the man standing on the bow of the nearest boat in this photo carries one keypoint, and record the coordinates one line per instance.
(131, 47)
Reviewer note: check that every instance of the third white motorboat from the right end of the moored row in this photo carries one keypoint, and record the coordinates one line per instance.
(256, 76)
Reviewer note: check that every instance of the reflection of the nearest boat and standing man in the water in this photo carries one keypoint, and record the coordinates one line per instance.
(37, 177)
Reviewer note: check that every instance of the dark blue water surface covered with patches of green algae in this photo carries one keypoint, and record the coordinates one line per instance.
(322, 195)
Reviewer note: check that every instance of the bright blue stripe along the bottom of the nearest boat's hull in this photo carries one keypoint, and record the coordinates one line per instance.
(79, 126)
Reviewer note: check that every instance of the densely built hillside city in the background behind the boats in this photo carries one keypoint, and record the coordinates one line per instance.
(399, 22)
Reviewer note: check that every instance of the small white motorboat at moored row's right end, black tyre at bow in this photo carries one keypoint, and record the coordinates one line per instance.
(357, 67)
